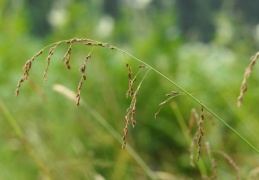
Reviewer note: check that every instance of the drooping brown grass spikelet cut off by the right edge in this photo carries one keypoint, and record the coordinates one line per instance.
(248, 71)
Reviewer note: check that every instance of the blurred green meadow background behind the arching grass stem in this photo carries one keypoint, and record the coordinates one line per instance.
(204, 46)
